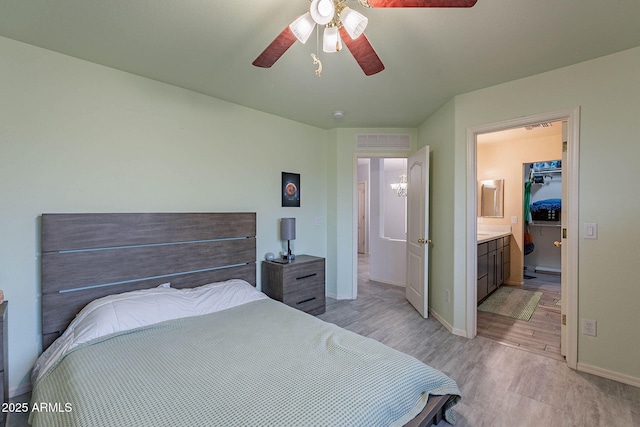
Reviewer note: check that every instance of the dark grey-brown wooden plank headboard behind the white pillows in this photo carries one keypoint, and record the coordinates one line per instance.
(88, 256)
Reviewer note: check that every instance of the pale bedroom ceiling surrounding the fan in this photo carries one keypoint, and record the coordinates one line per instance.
(430, 54)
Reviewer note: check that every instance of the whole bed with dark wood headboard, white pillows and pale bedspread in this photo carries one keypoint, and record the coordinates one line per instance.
(154, 319)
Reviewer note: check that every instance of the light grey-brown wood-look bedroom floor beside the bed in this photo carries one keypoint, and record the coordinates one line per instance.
(500, 385)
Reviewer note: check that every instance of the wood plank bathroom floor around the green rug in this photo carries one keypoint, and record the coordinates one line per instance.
(539, 335)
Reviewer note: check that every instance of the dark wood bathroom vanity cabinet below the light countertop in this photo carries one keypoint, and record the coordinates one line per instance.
(494, 264)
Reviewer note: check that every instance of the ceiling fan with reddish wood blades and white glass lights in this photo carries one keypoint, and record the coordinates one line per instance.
(341, 24)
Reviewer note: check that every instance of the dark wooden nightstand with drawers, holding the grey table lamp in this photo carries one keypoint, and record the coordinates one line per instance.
(299, 283)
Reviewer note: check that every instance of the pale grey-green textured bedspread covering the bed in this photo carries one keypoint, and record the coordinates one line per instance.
(259, 364)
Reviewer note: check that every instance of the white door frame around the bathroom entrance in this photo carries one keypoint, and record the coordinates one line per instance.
(569, 211)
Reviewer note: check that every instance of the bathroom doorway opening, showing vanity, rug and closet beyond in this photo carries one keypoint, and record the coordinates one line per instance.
(527, 161)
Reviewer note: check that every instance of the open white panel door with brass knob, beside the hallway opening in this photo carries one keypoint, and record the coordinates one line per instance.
(417, 290)
